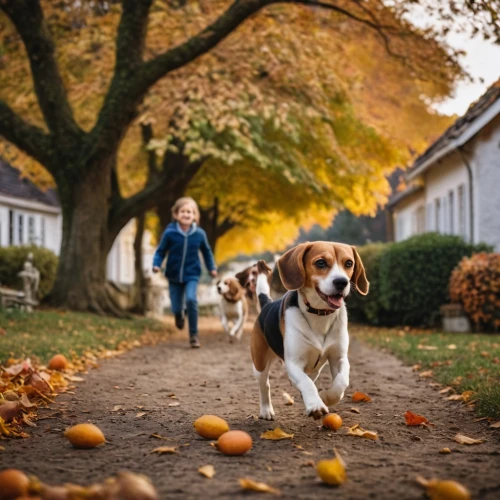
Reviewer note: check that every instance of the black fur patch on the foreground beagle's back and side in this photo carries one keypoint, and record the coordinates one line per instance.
(271, 318)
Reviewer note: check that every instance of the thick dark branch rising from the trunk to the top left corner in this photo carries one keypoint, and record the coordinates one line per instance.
(27, 17)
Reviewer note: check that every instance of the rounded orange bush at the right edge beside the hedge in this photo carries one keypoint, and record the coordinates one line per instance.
(475, 283)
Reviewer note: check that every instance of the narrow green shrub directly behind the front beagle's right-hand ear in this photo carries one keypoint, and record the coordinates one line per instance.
(368, 309)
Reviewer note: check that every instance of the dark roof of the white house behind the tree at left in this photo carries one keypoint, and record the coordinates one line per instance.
(14, 185)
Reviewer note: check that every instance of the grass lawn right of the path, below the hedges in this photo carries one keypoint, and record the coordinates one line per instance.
(465, 361)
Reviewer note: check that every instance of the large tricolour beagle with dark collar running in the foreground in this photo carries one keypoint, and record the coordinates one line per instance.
(307, 327)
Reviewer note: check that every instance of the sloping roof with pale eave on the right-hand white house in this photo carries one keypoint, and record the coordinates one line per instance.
(477, 116)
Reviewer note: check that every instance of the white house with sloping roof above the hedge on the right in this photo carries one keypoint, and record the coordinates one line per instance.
(454, 186)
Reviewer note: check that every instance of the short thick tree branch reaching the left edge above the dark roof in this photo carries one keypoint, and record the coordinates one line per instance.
(30, 139)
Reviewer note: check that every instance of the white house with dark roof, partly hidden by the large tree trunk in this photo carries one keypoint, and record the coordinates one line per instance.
(29, 215)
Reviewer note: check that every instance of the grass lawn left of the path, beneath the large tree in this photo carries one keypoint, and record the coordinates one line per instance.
(42, 334)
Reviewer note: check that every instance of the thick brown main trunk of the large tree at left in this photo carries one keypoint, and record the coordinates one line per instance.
(81, 274)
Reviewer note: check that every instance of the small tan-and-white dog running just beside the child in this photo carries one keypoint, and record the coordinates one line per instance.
(233, 307)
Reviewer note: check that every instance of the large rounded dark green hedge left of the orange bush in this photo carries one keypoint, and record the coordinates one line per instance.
(414, 276)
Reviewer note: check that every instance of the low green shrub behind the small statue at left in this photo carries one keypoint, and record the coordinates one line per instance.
(12, 261)
